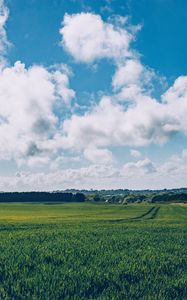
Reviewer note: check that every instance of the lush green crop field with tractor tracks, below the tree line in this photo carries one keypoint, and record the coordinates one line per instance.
(93, 251)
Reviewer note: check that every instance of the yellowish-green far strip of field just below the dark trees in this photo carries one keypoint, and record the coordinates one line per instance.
(47, 212)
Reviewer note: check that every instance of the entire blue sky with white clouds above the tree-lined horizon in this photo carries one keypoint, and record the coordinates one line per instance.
(93, 94)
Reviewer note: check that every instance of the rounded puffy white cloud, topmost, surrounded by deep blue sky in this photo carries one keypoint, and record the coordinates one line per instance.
(87, 38)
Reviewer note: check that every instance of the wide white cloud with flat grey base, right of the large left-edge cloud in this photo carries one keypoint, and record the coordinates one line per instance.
(146, 122)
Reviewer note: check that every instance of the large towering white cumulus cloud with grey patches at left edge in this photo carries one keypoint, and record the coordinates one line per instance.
(27, 100)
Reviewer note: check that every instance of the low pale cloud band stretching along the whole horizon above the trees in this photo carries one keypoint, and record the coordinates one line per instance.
(138, 175)
